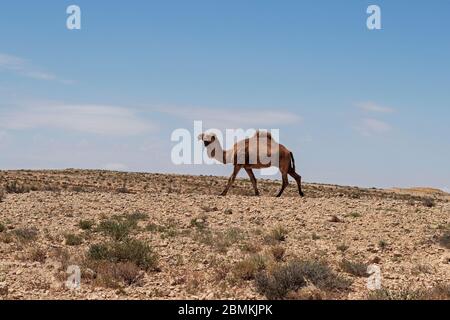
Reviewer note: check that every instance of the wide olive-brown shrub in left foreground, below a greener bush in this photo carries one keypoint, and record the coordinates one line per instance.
(130, 250)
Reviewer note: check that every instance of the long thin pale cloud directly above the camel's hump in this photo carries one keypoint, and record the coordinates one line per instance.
(234, 118)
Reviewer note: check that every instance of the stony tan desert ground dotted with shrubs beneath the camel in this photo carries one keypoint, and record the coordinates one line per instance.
(156, 236)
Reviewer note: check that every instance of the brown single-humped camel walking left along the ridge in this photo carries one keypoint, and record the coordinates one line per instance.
(252, 148)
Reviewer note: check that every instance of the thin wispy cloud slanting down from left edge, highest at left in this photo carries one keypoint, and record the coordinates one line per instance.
(25, 68)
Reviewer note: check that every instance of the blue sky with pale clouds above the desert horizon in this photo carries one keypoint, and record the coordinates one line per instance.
(356, 107)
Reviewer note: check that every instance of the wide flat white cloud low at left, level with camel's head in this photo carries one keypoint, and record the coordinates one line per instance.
(94, 119)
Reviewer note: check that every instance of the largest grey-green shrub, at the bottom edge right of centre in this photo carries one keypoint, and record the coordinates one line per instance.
(277, 283)
